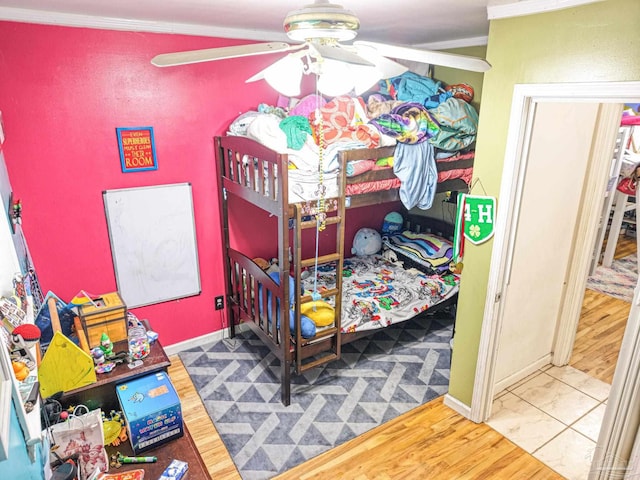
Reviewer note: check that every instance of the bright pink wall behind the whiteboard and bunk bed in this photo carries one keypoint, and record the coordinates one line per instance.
(63, 92)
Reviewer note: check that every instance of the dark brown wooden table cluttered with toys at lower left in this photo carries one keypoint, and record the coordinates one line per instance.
(102, 394)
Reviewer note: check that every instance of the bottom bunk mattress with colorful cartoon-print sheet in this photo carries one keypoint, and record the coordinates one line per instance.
(377, 293)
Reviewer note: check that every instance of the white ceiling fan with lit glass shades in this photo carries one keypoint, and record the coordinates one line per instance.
(321, 28)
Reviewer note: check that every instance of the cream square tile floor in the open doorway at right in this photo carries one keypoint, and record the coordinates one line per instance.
(555, 415)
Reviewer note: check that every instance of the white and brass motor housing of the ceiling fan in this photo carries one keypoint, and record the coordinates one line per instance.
(321, 20)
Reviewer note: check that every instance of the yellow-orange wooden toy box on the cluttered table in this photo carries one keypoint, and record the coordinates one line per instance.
(107, 314)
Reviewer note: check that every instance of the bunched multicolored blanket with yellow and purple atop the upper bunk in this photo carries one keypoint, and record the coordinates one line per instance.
(408, 123)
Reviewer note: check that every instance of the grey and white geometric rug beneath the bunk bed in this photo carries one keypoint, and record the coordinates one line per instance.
(377, 378)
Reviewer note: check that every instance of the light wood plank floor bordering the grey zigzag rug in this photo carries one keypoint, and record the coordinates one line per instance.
(431, 441)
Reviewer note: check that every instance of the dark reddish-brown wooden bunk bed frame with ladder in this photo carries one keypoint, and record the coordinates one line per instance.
(248, 287)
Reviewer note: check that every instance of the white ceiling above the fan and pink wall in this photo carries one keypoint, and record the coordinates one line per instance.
(408, 22)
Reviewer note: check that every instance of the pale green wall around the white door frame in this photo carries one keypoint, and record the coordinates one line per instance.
(599, 42)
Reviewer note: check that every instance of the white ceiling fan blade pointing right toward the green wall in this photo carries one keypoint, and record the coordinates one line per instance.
(463, 62)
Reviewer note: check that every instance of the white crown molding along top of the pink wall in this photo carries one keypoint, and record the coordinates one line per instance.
(111, 23)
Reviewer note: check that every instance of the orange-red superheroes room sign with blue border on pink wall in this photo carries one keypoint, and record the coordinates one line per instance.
(137, 149)
